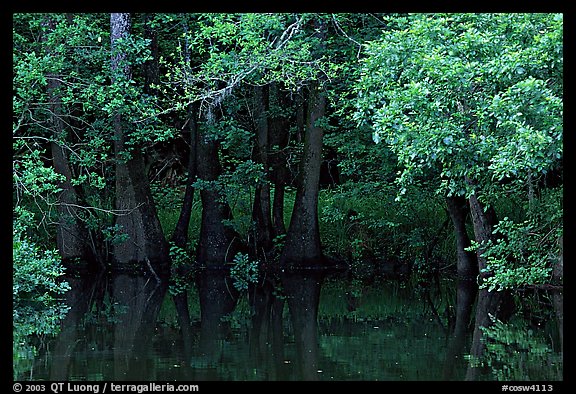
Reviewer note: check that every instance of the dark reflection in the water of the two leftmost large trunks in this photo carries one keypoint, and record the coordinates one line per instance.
(116, 313)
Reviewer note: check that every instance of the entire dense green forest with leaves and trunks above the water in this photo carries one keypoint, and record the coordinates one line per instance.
(207, 121)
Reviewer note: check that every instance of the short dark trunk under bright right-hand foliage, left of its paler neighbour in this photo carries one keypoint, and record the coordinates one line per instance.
(467, 265)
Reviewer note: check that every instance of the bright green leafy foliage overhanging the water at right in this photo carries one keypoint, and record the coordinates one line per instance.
(473, 104)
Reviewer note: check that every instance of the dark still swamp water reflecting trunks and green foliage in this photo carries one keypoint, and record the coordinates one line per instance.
(301, 326)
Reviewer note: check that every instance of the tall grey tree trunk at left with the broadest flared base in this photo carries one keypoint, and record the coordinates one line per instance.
(146, 245)
